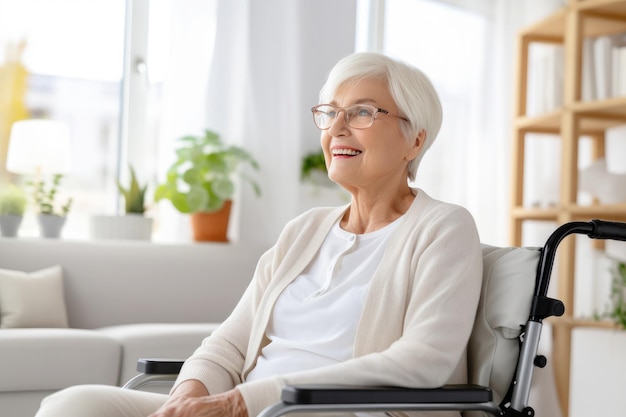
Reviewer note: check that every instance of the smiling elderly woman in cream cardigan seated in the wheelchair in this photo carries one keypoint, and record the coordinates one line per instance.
(382, 291)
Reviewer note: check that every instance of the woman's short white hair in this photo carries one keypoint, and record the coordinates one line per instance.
(410, 88)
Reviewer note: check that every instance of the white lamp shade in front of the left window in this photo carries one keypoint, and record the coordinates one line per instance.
(39, 147)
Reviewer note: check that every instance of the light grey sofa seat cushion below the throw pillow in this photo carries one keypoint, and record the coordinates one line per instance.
(51, 359)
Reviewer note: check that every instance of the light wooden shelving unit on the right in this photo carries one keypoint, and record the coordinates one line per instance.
(568, 27)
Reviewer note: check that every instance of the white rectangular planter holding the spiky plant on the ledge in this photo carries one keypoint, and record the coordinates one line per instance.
(129, 226)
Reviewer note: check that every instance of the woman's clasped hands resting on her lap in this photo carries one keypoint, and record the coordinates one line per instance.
(227, 404)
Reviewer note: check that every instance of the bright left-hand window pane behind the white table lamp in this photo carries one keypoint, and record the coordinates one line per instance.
(73, 55)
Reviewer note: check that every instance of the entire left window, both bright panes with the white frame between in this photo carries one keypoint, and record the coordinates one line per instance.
(118, 84)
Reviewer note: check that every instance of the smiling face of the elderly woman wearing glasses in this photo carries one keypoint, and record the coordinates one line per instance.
(377, 155)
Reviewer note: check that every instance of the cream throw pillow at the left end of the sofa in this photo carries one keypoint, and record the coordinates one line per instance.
(32, 299)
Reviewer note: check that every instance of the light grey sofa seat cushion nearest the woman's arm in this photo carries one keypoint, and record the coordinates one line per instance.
(172, 341)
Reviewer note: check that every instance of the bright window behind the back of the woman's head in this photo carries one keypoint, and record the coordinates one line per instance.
(450, 41)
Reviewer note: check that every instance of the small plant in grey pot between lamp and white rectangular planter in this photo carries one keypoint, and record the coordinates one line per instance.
(51, 214)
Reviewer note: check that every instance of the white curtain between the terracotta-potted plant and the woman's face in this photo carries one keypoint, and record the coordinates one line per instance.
(269, 63)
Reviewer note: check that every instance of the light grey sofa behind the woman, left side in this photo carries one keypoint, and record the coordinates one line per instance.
(124, 300)
